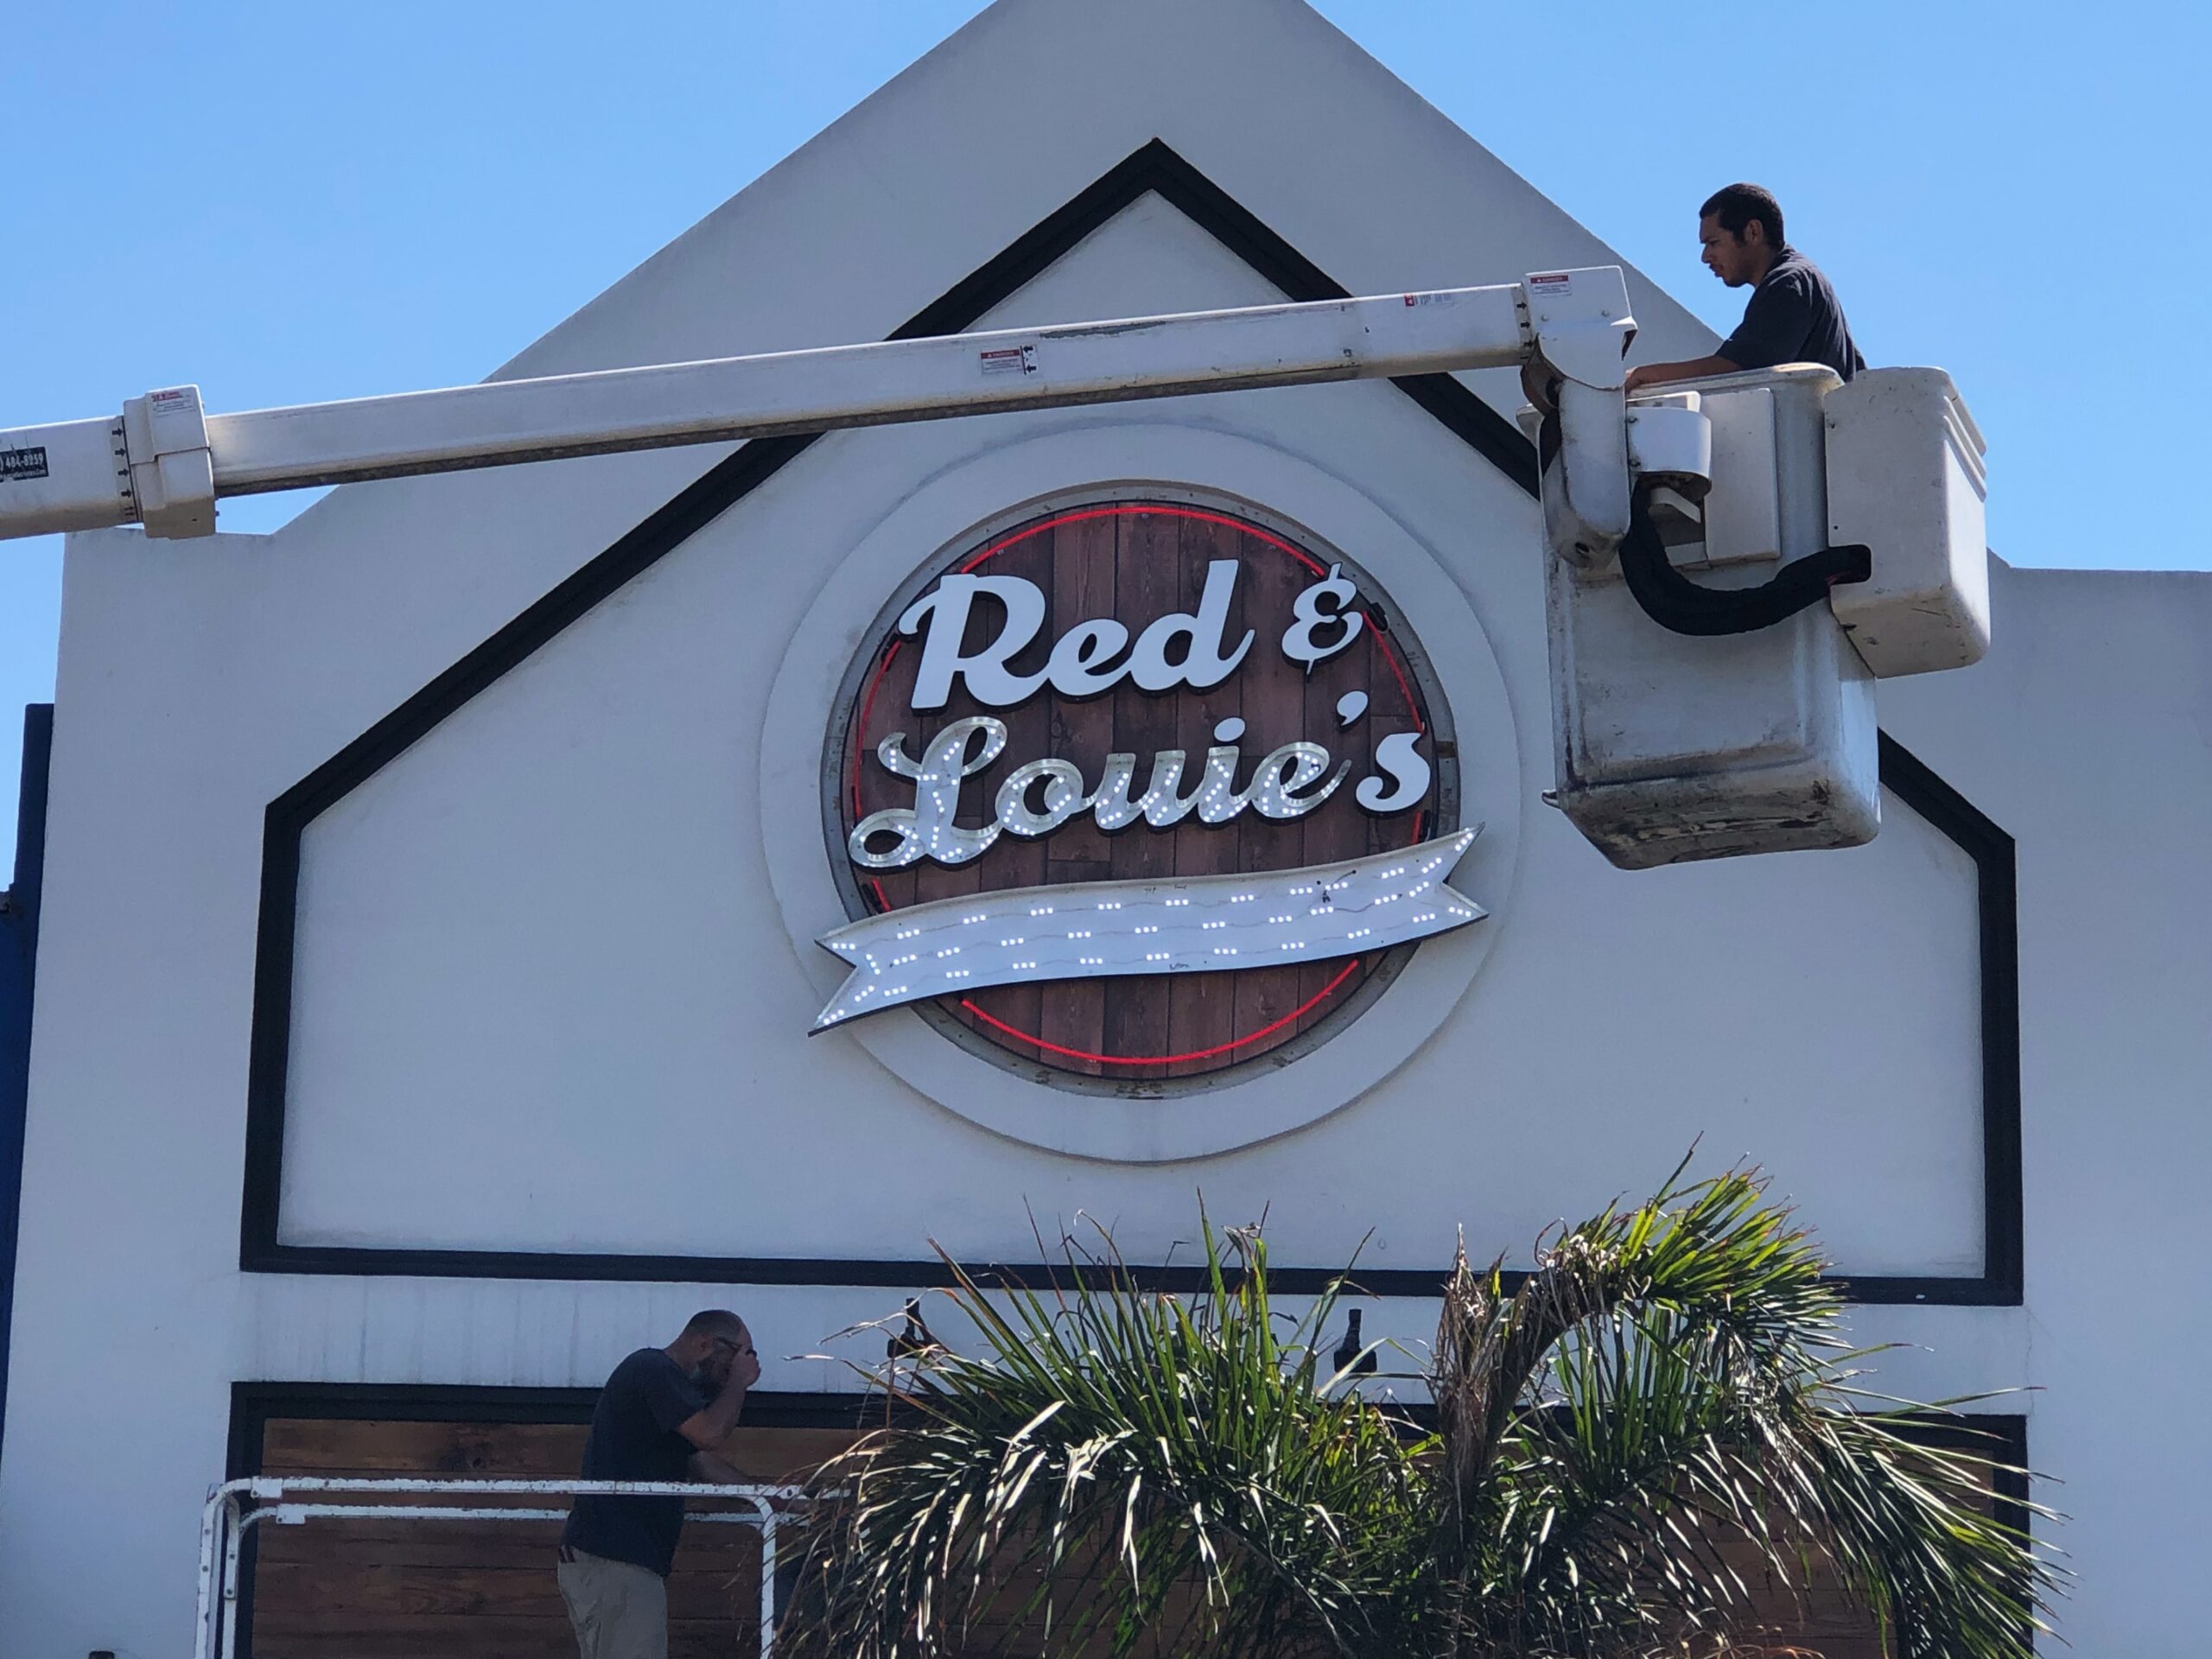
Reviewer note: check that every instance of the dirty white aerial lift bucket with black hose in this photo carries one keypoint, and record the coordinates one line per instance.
(1795, 541)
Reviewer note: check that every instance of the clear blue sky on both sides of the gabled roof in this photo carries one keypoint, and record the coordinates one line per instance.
(295, 202)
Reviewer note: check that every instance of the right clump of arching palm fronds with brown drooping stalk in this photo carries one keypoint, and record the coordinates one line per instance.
(1689, 1428)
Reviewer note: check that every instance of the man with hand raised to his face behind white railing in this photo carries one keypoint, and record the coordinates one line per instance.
(662, 1415)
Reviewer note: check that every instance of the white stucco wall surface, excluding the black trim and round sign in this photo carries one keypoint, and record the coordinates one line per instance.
(552, 990)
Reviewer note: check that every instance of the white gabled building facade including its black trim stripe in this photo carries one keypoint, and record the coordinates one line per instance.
(428, 897)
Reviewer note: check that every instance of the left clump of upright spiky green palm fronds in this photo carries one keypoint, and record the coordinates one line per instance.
(1114, 1461)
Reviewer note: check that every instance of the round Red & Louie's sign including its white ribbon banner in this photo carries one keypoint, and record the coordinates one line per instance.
(1140, 791)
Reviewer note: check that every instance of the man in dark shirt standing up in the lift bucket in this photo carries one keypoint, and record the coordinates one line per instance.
(1793, 315)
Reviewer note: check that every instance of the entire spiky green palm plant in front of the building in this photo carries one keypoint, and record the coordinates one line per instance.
(1623, 1448)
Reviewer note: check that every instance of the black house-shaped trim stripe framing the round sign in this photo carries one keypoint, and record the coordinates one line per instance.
(1160, 171)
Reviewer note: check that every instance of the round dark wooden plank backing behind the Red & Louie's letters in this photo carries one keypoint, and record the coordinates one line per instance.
(1138, 563)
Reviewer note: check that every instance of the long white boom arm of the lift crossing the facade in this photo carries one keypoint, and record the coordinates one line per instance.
(165, 461)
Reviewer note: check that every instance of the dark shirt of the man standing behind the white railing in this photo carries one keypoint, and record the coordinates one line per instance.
(634, 1437)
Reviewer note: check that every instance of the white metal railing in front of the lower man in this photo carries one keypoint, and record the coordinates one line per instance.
(238, 1507)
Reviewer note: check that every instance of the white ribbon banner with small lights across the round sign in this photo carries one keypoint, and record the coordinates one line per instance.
(1189, 926)
